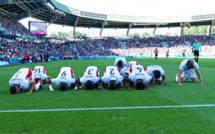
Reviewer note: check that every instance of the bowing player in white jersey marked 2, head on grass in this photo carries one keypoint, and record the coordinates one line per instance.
(111, 77)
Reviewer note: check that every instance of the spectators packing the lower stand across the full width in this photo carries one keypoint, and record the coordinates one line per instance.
(103, 47)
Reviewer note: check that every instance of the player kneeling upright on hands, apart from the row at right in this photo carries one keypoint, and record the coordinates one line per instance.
(186, 67)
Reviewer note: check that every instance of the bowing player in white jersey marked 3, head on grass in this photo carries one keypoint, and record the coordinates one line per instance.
(91, 77)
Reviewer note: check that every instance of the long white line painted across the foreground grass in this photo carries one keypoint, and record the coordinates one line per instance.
(106, 108)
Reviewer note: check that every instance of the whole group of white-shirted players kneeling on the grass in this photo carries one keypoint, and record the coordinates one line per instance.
(132, 73)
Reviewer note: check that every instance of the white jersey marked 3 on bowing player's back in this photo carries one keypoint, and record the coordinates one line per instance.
(91, 73)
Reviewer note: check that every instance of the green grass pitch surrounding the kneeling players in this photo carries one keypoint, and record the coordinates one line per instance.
(181, 120)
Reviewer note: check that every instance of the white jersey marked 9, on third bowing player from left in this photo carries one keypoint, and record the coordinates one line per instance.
(66, 75)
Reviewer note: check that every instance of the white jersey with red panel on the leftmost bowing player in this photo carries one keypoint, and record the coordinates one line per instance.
(21, 78)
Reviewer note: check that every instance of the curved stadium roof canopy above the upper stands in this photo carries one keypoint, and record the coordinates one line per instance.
(57, 13)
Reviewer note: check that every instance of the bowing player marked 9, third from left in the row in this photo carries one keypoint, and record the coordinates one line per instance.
(64, 79)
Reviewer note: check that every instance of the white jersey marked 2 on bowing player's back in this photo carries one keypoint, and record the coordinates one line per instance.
(111, 73)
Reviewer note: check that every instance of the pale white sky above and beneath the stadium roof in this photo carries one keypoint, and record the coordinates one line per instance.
(132, 8)
